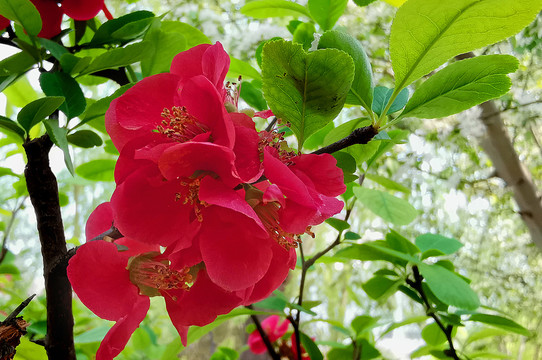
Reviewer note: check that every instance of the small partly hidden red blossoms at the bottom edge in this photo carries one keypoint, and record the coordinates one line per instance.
(274, 332)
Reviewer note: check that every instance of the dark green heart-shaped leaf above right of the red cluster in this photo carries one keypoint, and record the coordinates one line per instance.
(305, 90)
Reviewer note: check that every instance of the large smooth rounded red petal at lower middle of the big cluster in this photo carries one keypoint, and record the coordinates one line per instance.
(235, 255)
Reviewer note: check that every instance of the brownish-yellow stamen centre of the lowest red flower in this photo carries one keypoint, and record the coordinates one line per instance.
(154, 277)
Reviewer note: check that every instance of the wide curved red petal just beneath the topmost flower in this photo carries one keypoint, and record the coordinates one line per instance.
(184, 160)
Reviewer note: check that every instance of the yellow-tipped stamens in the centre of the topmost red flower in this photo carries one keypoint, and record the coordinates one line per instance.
(179, 125)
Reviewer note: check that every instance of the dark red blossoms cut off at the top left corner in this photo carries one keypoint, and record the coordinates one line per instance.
(51, 12)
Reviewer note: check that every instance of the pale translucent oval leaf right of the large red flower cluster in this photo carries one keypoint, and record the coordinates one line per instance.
(390, 208)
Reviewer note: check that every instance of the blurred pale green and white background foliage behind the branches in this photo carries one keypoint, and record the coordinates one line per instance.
(440, 169)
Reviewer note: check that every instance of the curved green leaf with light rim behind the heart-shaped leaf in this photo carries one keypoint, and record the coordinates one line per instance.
(361, 92)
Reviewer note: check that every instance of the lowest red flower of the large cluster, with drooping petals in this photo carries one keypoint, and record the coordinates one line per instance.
(122, 282)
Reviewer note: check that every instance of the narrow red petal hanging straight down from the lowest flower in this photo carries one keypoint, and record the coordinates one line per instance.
(117, 337)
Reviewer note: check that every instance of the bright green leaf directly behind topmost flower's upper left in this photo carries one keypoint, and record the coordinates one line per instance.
(165, 45)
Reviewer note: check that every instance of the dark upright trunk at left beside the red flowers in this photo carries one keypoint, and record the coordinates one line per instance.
(43, 191)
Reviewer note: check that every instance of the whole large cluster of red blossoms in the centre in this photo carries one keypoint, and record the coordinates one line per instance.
(211, 210)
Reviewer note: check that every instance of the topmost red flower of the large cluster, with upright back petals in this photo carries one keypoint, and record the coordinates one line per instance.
(184, 105)
